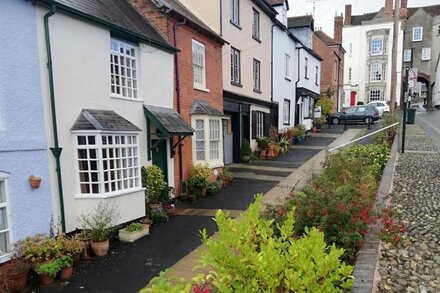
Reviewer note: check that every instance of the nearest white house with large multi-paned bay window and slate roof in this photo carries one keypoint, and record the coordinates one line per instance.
(112, 85)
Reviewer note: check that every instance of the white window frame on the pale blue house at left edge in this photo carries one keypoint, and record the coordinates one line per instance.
(4, 187)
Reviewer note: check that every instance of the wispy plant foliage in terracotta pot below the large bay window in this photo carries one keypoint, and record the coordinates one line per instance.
(100, 221)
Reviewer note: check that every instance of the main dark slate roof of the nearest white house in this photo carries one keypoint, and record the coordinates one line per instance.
(119, 13)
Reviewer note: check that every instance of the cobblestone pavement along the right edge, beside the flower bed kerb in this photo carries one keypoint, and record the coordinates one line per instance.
(414, 265)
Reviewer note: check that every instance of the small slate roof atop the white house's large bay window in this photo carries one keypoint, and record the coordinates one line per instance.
(105, 120)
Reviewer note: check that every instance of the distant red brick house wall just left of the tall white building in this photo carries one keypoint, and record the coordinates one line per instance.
(328, 67)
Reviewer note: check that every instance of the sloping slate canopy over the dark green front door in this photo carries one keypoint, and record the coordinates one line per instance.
(168, 120)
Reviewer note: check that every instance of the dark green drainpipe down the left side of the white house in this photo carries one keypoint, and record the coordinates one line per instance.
(56, 150)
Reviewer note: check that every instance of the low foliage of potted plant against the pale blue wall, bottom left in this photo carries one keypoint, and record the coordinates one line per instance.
(38, 248)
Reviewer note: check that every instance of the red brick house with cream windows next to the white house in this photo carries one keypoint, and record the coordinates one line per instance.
(184, 30)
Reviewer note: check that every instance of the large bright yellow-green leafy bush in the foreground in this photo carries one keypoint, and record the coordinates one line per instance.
(247, 256)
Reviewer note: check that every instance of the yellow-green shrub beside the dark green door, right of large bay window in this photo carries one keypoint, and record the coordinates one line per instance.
(154, 183)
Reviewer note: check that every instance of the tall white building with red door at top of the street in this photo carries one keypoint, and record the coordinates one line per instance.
(368, 41)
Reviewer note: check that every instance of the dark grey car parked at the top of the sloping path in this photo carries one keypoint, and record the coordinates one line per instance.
(367, 114)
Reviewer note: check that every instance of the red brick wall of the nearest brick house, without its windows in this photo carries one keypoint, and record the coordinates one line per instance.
(213, 59)
